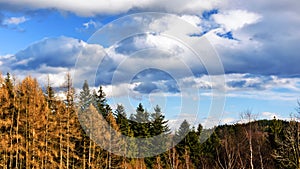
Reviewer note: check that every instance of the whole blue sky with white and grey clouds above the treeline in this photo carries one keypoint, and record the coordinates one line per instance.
(206, 61)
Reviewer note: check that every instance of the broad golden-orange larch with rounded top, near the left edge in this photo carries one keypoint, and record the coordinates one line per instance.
(32, 122)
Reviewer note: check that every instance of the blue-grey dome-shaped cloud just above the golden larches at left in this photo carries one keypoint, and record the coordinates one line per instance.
(54, 52)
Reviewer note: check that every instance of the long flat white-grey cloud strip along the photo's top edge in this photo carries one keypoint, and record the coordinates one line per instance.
(94, 7)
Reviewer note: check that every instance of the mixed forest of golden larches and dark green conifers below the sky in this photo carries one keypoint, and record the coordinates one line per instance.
(40, 130)
